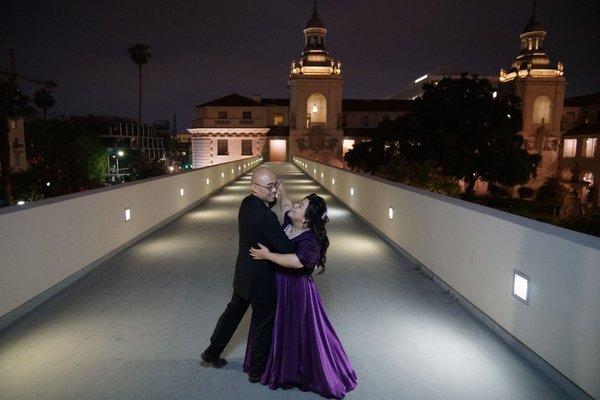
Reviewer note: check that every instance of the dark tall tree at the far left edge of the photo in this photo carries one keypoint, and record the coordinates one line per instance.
(13, 105)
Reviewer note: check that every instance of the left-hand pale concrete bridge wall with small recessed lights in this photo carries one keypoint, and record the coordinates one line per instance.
(47, 245)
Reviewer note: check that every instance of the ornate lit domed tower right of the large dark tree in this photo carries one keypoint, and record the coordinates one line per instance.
(542, 92)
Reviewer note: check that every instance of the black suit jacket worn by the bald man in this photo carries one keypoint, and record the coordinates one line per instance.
(254, 280)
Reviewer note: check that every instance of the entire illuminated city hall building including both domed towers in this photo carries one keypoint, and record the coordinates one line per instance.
(317, 123)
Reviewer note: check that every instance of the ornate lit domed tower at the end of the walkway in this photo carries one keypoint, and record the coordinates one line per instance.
(315, 87)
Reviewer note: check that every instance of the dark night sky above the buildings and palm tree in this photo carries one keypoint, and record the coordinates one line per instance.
(202, 50)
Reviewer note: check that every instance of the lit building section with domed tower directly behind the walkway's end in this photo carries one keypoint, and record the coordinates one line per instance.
(314, 122)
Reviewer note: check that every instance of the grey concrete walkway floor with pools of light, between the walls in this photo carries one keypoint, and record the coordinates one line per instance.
(135, 326)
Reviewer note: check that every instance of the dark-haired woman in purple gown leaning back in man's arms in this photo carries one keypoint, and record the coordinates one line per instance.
(305, 350)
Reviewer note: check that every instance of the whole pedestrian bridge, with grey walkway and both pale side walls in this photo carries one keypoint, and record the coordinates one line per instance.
(113, 294)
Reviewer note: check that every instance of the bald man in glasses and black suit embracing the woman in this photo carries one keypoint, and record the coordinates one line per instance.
(254, 280)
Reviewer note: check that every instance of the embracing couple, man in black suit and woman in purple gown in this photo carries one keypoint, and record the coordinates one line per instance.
(291, 342)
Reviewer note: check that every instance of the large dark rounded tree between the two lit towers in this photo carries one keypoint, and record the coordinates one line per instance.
(470, 133)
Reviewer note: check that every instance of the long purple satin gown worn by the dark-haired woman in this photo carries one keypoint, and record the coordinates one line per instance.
(305, 350)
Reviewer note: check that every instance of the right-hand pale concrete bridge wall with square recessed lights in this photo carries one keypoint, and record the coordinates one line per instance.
(489, 260)
